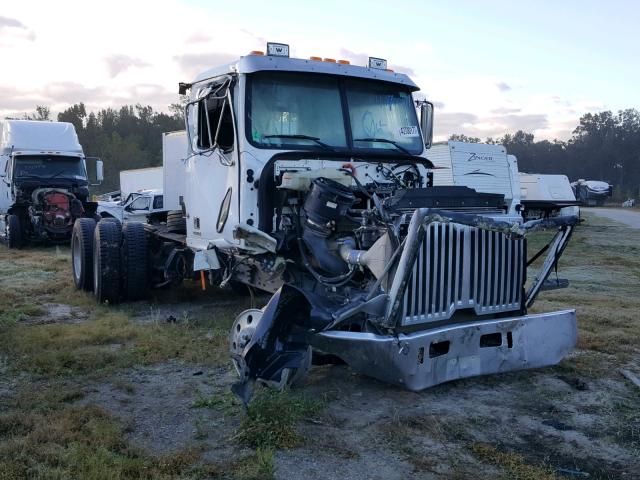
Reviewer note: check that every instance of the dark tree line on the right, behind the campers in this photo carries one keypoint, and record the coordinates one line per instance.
(604, 146)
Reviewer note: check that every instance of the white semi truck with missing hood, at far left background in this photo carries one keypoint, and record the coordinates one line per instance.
(44, 186)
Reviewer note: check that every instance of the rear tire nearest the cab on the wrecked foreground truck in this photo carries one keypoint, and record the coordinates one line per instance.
(135, 264)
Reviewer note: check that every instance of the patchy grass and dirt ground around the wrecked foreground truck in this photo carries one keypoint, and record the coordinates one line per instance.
(142, 390)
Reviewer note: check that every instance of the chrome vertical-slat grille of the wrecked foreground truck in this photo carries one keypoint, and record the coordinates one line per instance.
(460, 267)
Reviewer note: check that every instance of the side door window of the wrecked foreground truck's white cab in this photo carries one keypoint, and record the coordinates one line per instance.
(215, 121)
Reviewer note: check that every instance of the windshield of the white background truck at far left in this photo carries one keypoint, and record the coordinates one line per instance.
(49, 166)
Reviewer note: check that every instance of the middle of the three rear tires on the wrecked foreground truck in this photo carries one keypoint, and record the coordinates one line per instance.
(106, 262)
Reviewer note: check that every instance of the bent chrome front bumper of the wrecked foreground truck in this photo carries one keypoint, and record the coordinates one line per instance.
(422, 359)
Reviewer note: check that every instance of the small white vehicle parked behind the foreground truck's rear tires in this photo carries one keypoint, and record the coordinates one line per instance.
(143, 206)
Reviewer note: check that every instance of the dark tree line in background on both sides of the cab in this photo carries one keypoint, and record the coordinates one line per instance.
(604, 146)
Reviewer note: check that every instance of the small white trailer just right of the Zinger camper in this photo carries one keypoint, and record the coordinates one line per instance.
(544, 196)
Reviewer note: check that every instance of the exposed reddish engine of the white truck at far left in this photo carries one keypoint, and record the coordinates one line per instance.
(53, 212)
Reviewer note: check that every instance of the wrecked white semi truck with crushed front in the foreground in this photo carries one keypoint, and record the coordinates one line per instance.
(310, 179)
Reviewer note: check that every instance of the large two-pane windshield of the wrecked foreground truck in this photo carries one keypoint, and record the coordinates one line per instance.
(304, 111)
